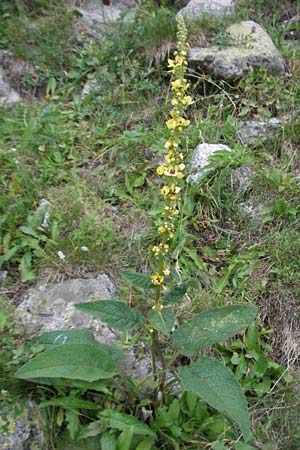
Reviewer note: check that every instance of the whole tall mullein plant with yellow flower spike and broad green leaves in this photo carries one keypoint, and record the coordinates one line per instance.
(69, 355)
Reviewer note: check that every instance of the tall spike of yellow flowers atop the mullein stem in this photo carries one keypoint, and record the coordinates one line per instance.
(172, 170)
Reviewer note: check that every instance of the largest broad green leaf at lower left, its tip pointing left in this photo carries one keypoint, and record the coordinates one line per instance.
(88, 362)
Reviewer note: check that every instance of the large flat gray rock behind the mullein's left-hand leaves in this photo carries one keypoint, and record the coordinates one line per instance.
(51, 307)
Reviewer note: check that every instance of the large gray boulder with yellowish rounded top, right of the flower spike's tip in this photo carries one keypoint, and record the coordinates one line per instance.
(250, 47)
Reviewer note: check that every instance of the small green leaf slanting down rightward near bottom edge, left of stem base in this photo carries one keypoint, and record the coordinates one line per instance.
(121, 421)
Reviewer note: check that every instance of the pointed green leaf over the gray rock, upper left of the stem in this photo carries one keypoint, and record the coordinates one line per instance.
(115, 313)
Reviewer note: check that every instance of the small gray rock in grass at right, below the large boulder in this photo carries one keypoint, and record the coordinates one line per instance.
(258, 130)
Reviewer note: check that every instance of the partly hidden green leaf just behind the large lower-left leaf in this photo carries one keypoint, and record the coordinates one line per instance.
(59, 337)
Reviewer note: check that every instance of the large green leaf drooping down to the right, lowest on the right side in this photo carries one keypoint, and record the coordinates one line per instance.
(218, 386)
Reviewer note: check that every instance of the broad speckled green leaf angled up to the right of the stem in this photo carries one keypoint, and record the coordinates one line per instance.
(212, 326)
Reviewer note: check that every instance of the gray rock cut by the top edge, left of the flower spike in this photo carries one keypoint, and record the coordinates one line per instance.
(95, 16)
